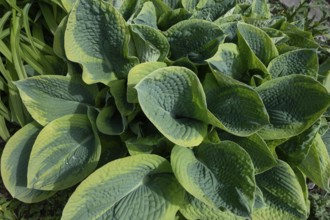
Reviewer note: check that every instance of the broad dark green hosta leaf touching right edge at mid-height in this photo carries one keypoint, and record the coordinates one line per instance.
(293, 103)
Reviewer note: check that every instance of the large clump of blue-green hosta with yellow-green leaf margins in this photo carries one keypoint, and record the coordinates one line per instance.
(180, 109)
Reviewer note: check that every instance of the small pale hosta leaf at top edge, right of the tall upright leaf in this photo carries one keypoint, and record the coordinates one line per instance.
(147, 15)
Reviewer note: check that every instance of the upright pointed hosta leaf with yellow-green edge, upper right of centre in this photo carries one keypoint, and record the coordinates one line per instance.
(257, 41)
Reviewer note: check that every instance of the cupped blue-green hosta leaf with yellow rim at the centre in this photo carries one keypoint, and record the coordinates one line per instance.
(173, 100)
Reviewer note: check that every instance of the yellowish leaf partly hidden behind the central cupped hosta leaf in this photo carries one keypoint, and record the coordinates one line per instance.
(136, 74)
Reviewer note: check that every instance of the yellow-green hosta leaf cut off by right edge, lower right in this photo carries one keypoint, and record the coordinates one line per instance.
(316, 166)
